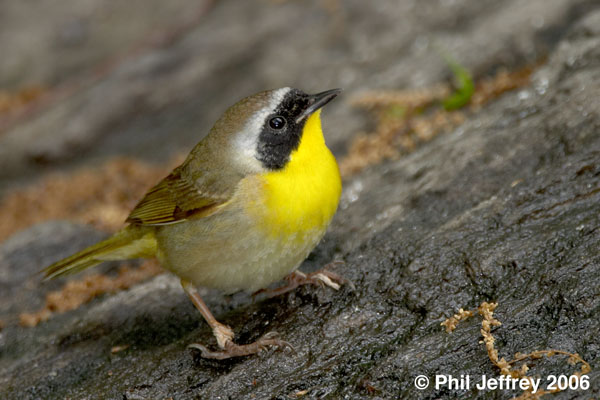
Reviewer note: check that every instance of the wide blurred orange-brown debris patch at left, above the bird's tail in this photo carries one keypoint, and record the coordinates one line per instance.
(102, 197)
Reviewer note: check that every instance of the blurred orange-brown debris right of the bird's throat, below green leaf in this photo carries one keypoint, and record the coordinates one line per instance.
(407, 118)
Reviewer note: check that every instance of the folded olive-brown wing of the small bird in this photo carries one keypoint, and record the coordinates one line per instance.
(175, 199)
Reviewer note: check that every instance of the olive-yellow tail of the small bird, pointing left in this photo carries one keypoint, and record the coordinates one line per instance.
(130, 242)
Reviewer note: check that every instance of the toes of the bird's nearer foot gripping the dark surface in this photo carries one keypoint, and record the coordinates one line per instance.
(230, 349)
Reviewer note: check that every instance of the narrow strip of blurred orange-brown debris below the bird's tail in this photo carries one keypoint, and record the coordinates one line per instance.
(81, 291)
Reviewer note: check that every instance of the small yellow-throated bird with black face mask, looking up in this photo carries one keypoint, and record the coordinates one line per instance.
(245, 208)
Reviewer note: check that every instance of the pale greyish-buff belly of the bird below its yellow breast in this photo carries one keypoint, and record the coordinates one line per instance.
(228, 252)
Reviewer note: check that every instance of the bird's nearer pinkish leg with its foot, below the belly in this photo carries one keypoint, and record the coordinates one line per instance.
(224, 334)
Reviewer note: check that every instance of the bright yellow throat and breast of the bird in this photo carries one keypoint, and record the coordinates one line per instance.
(303, 196)
